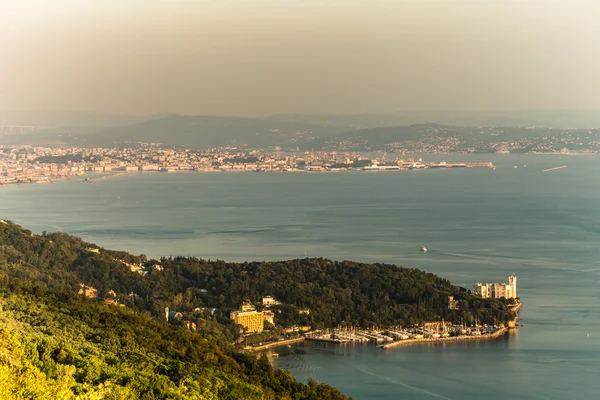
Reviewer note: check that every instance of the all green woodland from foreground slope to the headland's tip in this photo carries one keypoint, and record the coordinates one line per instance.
(56, 343)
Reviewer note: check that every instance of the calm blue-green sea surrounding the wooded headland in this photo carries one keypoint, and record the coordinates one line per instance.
(479, 225)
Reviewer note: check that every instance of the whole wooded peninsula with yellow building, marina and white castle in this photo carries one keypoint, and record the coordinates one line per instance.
(253, 303)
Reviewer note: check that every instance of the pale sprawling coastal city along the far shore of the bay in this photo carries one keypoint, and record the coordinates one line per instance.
(28, 164)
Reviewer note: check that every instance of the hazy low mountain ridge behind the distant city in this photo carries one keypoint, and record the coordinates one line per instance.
(369, 132)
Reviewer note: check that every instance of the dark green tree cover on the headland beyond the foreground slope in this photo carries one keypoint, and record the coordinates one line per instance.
(335, 292)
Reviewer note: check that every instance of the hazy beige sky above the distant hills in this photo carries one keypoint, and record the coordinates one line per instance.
(259, 57)
